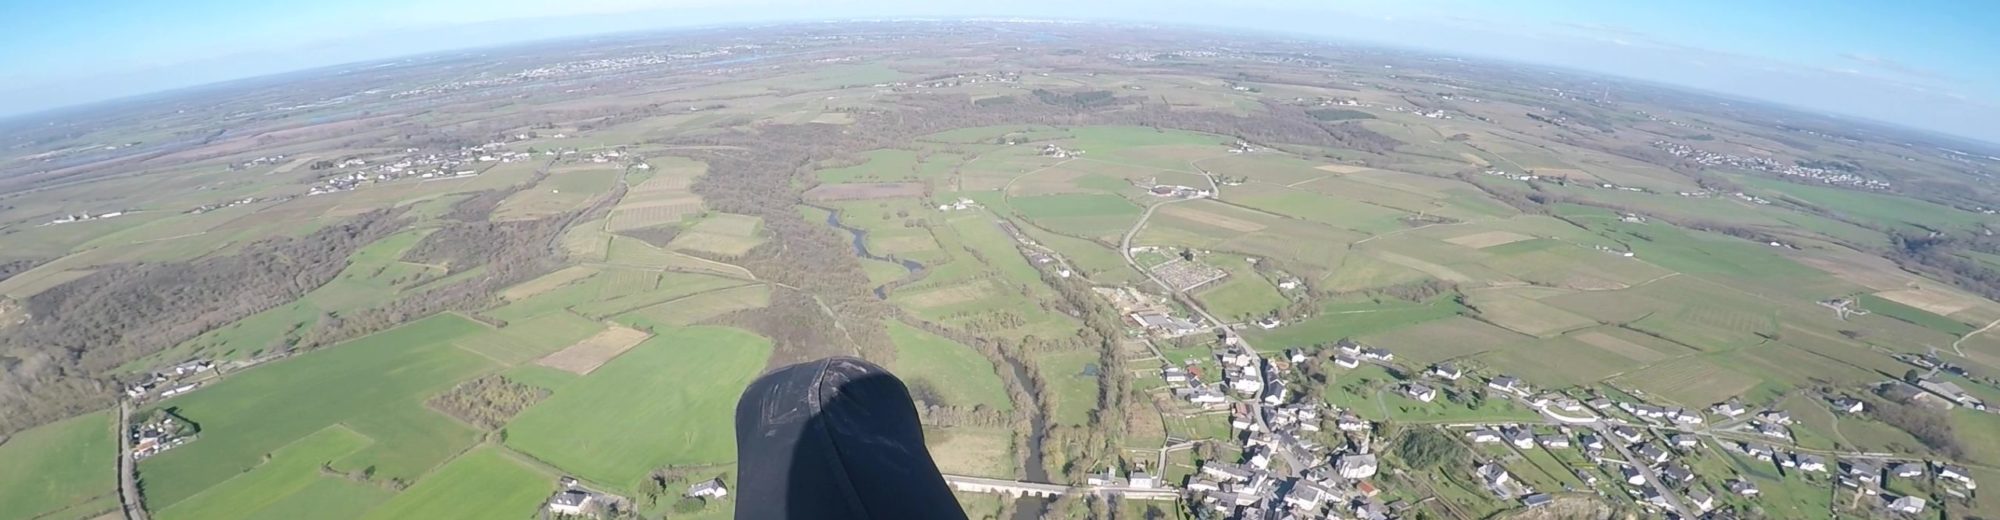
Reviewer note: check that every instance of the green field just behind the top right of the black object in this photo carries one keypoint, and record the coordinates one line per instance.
(959, 375)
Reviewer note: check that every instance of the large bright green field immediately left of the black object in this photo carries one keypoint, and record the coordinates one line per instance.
(667, 401)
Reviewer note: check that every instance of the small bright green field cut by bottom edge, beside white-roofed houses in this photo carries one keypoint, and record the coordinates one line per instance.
(477, 485)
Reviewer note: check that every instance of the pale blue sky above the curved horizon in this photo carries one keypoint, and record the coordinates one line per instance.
(1921, 63)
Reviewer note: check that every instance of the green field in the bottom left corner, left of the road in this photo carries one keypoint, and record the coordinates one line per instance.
(59, 467)
